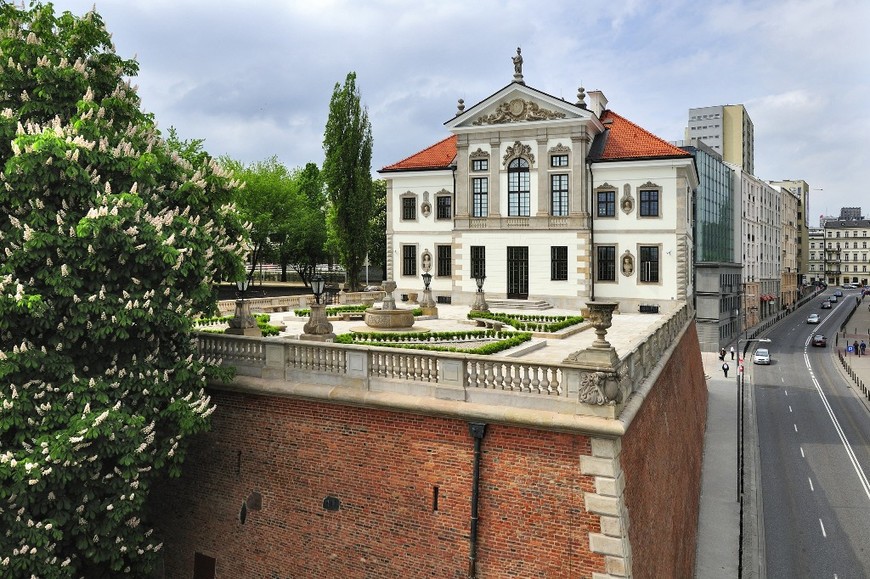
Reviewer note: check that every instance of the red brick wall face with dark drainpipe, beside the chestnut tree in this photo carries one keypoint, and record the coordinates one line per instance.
(382, 466)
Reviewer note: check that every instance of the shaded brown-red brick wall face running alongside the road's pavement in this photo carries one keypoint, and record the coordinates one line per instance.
(661, 457)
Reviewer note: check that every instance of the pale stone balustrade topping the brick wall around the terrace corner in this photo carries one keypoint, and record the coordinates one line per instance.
(560, 387)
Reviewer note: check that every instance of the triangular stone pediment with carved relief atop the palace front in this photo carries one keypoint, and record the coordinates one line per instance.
(518, 104)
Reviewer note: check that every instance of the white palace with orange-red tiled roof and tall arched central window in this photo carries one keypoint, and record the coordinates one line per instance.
(538, 232)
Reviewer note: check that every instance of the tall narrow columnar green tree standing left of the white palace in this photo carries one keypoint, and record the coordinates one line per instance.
(347, 144)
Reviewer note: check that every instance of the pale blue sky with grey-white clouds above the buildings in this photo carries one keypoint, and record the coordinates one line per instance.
(254, 78)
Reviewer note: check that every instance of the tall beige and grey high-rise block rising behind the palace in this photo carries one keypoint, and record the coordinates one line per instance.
(728, 130)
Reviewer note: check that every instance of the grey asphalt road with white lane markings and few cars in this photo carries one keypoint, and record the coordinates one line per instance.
(814, 448)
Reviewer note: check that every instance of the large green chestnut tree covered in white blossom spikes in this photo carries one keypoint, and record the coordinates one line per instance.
(110, 239)
